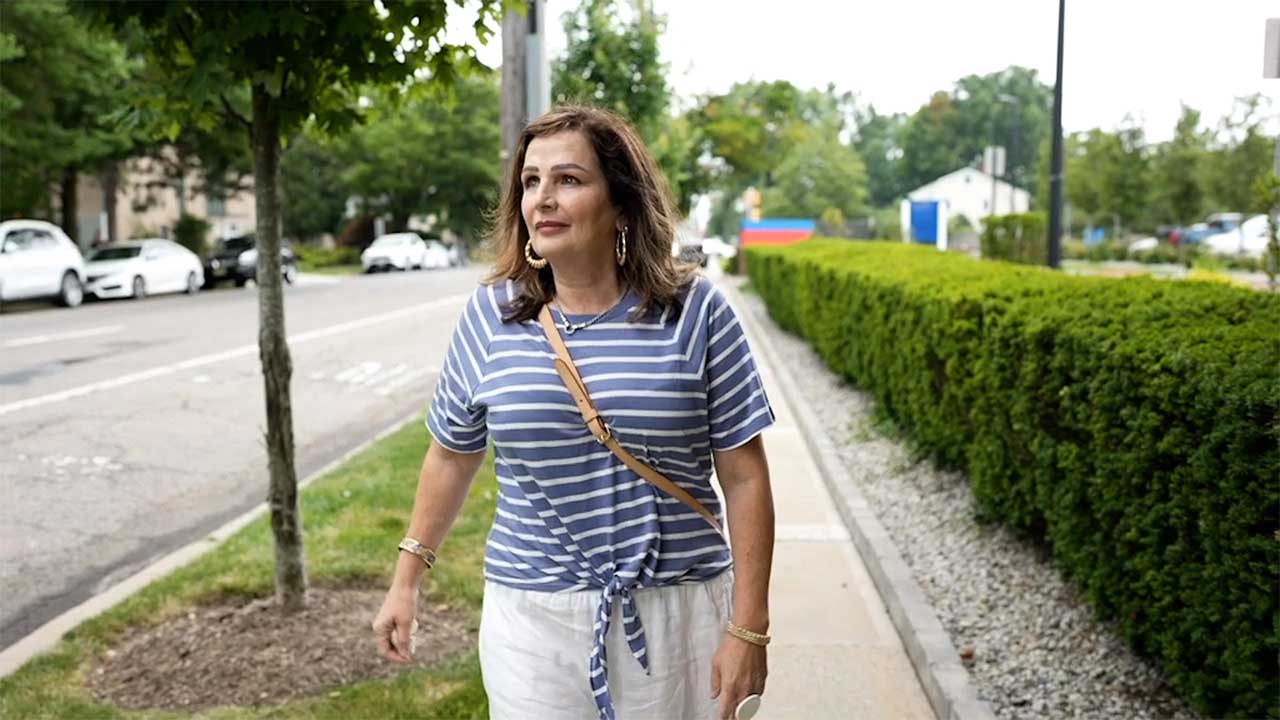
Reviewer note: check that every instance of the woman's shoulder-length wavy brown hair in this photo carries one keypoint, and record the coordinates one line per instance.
(637, 188)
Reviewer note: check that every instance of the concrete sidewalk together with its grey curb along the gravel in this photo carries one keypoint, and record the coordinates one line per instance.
(852, 640)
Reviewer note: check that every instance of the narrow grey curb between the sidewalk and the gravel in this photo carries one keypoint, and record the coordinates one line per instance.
(938, 664)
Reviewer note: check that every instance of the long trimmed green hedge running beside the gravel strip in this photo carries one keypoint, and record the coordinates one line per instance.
(1131, 425)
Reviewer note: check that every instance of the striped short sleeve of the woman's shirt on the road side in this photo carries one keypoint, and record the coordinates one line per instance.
(455, 421)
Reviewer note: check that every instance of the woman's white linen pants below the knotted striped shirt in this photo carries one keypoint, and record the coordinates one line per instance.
(534, 650)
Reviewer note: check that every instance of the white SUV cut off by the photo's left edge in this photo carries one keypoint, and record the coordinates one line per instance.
(38, 261)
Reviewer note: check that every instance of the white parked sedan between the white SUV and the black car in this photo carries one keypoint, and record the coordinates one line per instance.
(143, 267)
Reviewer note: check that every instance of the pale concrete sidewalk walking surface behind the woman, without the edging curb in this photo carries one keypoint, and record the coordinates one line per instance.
(835, 651)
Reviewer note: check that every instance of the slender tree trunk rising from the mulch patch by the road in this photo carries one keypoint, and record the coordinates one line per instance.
(291, 572)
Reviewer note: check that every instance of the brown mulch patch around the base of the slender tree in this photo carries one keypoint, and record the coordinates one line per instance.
(252, 654)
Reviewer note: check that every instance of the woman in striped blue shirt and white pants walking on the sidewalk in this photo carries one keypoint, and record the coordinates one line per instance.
(605, 596)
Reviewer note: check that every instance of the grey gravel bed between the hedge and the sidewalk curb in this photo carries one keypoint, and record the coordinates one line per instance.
(1031, 642)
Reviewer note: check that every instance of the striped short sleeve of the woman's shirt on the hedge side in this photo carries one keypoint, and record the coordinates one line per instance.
(738, 409)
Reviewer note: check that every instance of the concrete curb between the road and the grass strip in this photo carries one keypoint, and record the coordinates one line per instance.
(45, 637)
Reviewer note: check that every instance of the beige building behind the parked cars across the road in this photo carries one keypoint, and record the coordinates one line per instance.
(148, 206)
